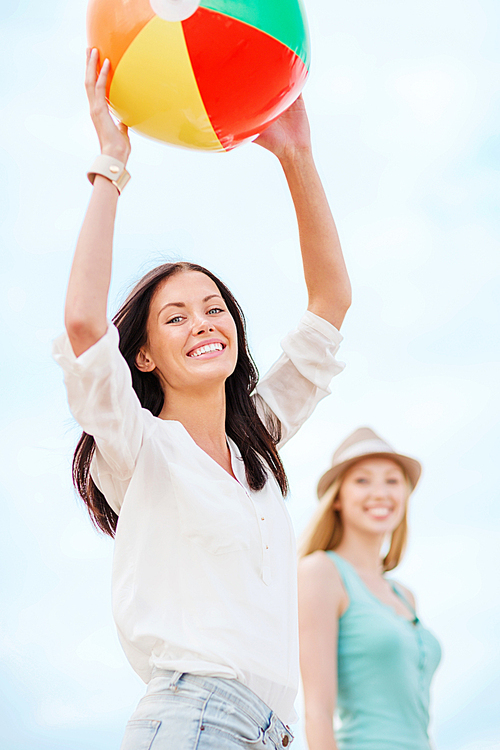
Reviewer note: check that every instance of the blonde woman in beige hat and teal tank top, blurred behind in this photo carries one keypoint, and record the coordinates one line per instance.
(365, 655)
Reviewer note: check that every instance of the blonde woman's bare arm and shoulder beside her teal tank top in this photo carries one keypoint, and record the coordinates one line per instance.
(321, 601)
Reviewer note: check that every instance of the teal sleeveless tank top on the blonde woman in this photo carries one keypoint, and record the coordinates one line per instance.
(385, 667)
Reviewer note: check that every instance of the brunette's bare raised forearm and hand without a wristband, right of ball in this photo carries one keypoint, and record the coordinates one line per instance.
(326, 277)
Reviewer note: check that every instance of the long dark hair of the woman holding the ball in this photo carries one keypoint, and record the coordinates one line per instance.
(256, 441)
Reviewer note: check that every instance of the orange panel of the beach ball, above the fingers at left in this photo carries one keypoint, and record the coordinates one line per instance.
(112, 26)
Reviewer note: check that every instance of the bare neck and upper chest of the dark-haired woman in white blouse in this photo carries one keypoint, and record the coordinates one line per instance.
(203, 414)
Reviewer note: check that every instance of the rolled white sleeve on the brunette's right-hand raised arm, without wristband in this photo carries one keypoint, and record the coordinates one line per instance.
(301, 377)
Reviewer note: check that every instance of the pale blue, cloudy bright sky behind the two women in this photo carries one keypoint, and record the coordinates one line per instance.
(404, 107)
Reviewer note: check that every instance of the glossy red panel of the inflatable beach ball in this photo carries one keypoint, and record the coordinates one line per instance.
(246, 78)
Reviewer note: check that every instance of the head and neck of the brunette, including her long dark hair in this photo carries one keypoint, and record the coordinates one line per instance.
(157, 344)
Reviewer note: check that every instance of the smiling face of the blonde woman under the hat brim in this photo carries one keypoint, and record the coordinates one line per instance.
(372, 497)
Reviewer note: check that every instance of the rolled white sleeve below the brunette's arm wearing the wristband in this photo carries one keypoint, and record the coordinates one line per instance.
(102, 399)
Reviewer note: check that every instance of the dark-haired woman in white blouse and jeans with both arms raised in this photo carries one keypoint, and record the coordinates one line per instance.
(179, 459)
